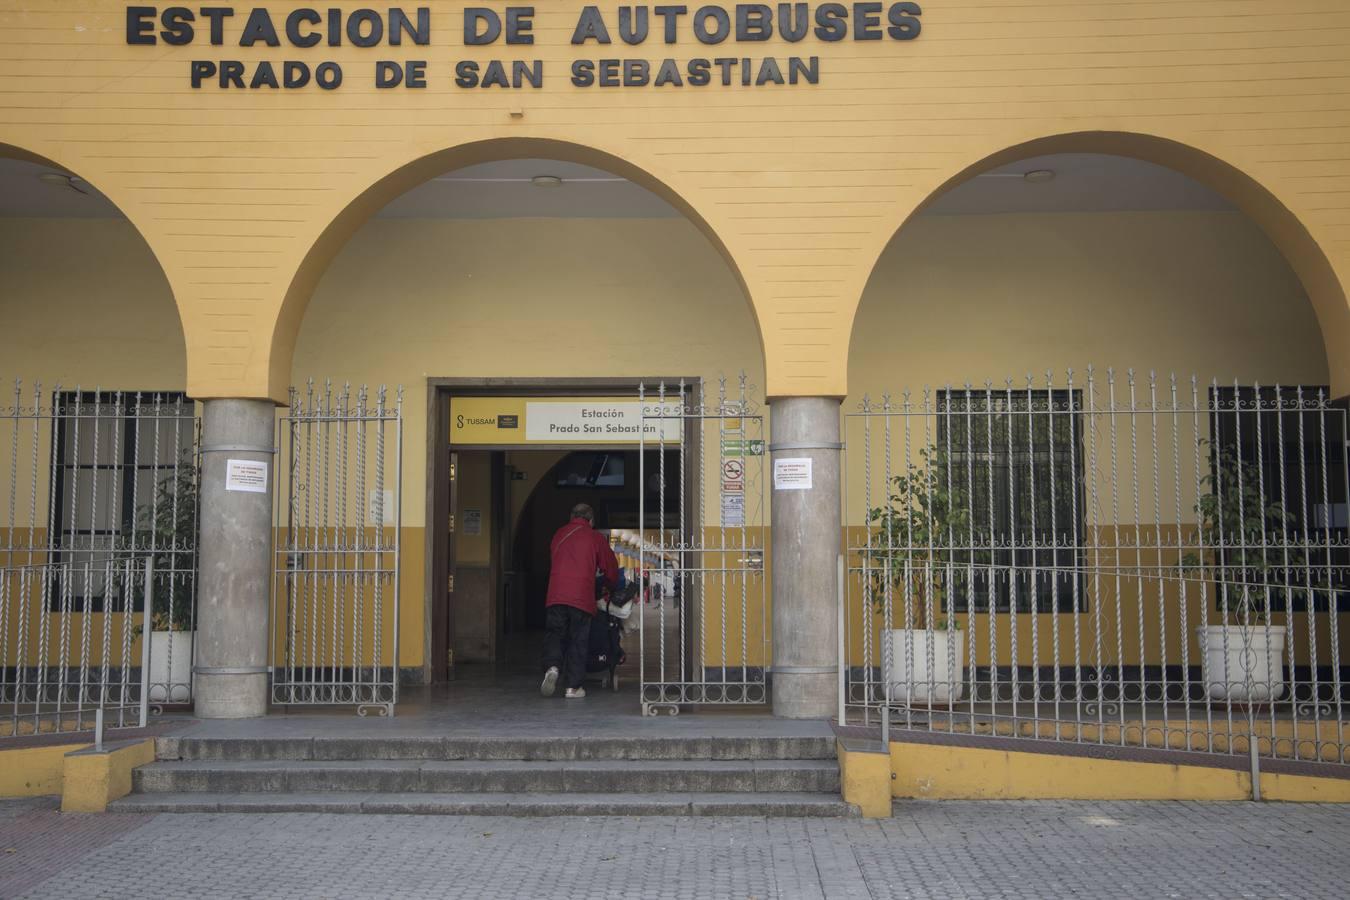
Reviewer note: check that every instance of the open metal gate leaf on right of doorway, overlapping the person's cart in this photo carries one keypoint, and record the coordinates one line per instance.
(701, 540)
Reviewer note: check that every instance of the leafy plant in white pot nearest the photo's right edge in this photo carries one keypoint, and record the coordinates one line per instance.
(1243, 656)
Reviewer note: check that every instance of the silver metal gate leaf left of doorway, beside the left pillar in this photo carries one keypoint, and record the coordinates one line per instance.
(335, 586)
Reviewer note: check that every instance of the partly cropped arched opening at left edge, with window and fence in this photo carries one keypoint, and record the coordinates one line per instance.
(99, 442)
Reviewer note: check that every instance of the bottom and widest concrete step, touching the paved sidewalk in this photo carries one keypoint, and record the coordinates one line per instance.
(514, 805)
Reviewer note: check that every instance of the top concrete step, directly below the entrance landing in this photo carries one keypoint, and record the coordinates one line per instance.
(499, 748)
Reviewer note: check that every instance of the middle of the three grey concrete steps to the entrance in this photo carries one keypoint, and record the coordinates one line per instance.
(442, 777)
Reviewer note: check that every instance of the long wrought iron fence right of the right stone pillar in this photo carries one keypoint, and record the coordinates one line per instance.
(1124, 561)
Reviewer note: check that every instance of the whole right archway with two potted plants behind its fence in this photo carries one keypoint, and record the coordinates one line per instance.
(1046, 550)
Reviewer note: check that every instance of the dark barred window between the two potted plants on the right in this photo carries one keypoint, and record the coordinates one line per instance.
(1017, 459)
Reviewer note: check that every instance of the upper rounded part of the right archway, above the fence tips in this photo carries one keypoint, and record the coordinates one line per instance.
(1140, 252)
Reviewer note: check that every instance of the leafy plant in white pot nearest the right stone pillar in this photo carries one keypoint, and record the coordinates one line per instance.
(912, 561)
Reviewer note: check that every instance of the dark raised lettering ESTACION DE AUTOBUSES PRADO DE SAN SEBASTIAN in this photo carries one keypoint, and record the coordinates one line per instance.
(711, 26)
